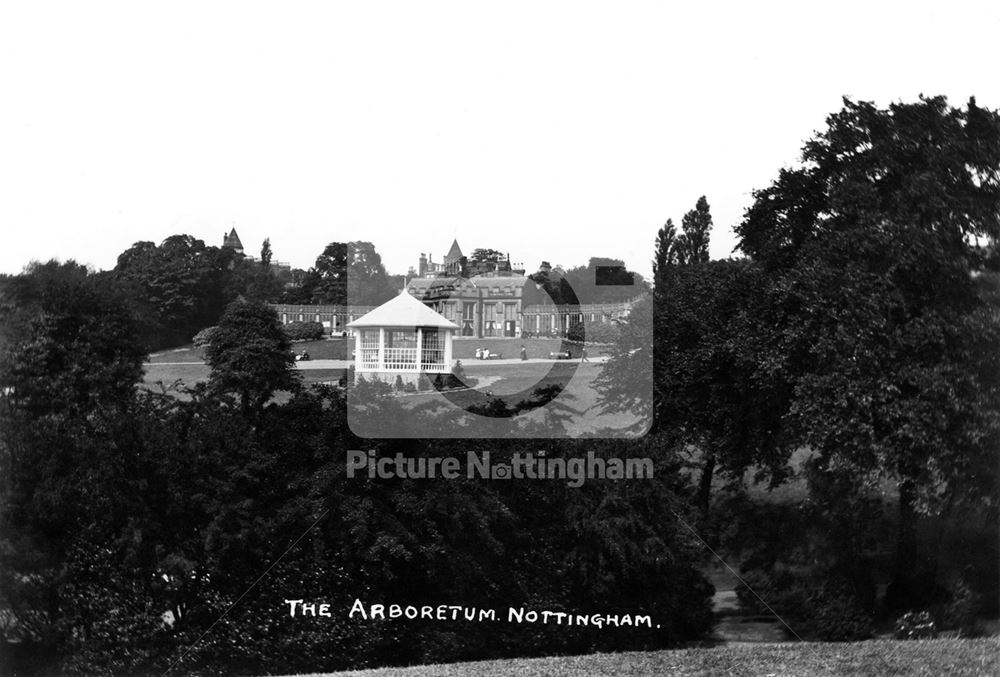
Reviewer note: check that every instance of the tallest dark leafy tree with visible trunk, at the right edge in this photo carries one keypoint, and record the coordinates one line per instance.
(881, 330)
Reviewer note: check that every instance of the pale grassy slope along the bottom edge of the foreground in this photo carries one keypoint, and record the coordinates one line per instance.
(935, 658)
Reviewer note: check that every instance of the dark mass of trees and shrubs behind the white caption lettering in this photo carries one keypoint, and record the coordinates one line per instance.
(119, 505)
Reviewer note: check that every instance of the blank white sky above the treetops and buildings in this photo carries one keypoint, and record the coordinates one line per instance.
(549, 130)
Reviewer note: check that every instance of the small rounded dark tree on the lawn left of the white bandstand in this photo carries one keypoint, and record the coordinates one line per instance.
(250, 355)
